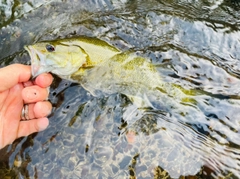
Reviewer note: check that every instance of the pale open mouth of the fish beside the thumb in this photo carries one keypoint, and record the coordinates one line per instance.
(36, 68)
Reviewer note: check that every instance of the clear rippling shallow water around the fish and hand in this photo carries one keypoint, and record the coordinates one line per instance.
(194, 44)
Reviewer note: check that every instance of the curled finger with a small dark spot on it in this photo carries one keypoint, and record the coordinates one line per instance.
(34, 94)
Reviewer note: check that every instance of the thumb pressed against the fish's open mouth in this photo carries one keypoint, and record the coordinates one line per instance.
(13, 74)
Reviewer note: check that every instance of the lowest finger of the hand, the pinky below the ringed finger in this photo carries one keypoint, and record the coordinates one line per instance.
(28, 127)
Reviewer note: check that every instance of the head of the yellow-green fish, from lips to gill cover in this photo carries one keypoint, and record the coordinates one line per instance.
(60, 58)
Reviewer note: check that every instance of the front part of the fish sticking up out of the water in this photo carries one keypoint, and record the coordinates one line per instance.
(68, 55)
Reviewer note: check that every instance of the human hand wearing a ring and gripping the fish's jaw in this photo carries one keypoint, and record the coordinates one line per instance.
(17, 91)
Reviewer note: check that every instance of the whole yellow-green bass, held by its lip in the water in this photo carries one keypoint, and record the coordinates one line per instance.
(103, 69)
